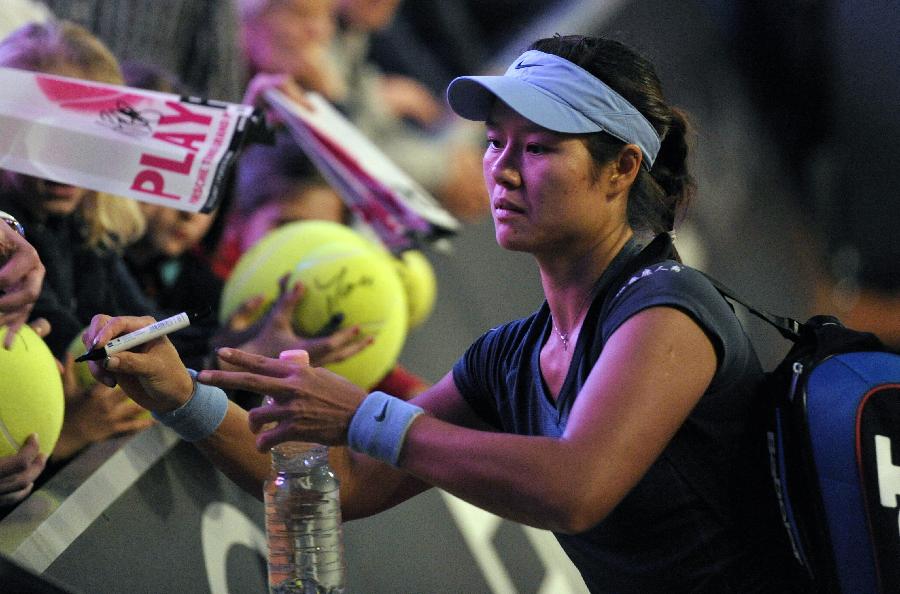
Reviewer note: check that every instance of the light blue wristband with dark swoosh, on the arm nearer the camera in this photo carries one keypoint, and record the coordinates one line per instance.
(379, 426)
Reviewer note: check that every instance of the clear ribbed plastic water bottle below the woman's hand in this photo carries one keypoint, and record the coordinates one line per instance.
(303, 522)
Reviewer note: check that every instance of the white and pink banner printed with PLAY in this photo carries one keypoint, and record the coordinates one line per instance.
(150, 146)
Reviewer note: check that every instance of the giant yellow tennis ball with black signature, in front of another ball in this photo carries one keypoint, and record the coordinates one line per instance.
(362, 286)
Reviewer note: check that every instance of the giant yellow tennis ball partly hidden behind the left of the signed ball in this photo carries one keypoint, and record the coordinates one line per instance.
(258, 270)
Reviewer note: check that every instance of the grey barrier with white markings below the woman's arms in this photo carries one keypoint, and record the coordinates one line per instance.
(150, 514)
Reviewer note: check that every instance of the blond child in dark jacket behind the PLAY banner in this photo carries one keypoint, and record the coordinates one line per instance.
(78, 235)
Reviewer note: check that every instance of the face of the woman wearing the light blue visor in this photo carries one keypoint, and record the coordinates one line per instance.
(545, 191)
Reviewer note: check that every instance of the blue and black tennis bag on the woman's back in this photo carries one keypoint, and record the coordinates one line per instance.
(834, 445)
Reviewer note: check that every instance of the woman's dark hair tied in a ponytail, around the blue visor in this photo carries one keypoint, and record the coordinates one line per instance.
(660, 195)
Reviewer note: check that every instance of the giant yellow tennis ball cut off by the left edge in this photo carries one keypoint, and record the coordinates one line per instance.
(31, 394)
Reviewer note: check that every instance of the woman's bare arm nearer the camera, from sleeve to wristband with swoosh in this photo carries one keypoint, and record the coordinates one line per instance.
(651, 373)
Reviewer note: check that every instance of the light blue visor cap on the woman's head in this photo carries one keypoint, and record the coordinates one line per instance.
(556, 94)
